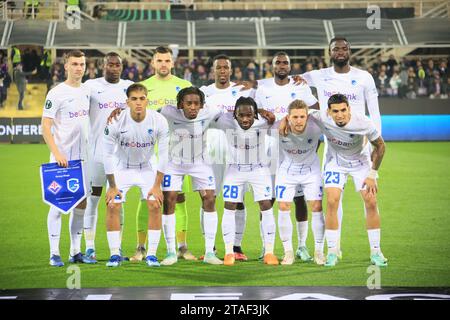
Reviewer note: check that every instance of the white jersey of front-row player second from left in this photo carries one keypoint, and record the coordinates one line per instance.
(188, 136)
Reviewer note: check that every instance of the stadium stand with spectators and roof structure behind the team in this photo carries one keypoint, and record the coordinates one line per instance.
(407, 31)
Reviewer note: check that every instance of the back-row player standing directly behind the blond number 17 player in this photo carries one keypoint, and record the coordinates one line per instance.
(275, 95)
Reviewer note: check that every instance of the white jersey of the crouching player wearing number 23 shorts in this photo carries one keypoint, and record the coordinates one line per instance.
(346, 145)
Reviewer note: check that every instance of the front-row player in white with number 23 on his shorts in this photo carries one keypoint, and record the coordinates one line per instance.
(347, 134)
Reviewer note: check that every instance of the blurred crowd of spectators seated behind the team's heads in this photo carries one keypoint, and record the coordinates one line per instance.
(408, 78)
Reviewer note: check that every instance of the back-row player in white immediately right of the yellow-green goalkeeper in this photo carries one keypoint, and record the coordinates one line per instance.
(223, 94)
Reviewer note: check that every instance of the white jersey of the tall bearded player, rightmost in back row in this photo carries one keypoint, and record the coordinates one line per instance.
(357, 85)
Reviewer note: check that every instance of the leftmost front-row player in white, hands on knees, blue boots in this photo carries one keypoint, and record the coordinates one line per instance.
(134, 135)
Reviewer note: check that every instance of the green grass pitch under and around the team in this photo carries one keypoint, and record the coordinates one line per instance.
(414, 201)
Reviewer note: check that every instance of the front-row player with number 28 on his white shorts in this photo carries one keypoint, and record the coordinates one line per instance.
(248, 165)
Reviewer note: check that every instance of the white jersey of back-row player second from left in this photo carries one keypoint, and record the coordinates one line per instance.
(105, 97)
